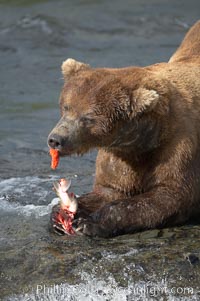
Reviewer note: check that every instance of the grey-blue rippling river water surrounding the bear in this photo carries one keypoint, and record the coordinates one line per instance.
(35, 264)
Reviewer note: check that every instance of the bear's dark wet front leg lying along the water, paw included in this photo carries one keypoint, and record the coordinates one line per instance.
(155, 208)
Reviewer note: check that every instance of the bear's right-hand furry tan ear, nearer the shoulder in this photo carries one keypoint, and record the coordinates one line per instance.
(144, 100)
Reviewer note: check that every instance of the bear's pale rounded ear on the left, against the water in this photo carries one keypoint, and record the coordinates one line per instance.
(71, 67)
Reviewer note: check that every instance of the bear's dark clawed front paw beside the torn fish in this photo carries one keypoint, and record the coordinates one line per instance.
(90, 228)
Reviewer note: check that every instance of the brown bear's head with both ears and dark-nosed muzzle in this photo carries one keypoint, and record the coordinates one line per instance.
(108, 108)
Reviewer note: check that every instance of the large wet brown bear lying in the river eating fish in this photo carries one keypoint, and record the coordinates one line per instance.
(145, 122)
